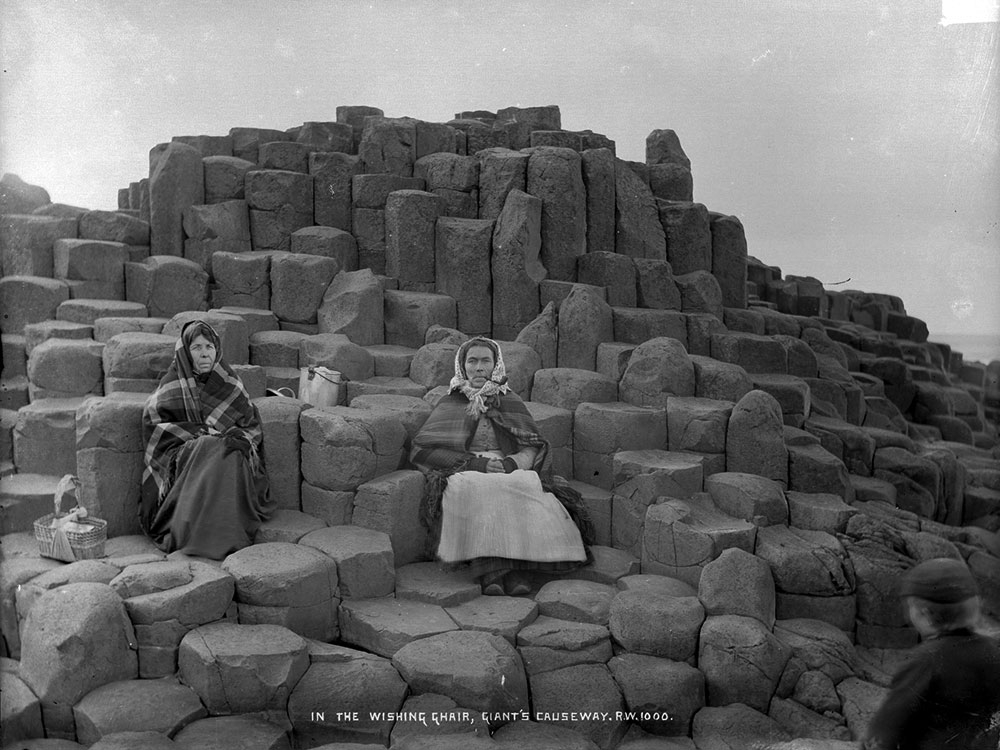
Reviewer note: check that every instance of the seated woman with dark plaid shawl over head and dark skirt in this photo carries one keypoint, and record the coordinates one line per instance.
(204, 491)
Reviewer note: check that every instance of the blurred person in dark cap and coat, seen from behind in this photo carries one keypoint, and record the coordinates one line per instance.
(948, 694)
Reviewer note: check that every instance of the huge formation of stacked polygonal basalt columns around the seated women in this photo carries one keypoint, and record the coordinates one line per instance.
(762, 457)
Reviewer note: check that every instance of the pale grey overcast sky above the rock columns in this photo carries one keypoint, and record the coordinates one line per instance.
(855, 139)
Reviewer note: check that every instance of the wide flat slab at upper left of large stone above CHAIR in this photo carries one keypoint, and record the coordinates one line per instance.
(385, 625)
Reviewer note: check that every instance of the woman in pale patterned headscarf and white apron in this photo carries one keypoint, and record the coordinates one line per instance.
(493, 512)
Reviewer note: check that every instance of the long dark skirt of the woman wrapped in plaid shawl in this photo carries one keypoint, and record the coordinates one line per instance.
(215, 505)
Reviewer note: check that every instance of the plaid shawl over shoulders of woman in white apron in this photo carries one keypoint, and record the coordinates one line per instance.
(443, 442)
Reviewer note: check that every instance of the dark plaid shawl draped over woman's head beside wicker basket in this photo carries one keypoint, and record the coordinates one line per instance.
(186, 405)
